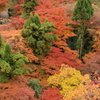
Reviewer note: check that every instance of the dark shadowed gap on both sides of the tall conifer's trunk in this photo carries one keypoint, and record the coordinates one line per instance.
(88, 43)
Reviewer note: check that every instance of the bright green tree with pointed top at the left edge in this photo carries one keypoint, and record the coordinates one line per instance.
(11, 64)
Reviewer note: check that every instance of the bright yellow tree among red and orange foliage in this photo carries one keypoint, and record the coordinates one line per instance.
(68, 80)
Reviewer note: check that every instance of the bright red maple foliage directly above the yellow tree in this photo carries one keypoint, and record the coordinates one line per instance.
(52, 62)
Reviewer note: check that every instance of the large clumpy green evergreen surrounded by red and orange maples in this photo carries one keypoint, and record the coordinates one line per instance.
(37, 34)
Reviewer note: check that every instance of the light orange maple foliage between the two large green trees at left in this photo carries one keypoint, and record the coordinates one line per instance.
(14, 38)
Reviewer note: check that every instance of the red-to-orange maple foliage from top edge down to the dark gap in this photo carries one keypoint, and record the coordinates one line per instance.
(59, 19)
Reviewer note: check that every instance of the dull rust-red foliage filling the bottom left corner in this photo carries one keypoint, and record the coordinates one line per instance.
(16, 89)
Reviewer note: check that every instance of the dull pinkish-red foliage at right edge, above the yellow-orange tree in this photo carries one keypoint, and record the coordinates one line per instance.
(92, 66)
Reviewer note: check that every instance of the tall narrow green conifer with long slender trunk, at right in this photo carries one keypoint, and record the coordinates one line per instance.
(82, 13)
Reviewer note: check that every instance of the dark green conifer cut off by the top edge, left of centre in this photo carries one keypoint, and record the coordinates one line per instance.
(28, 6)
